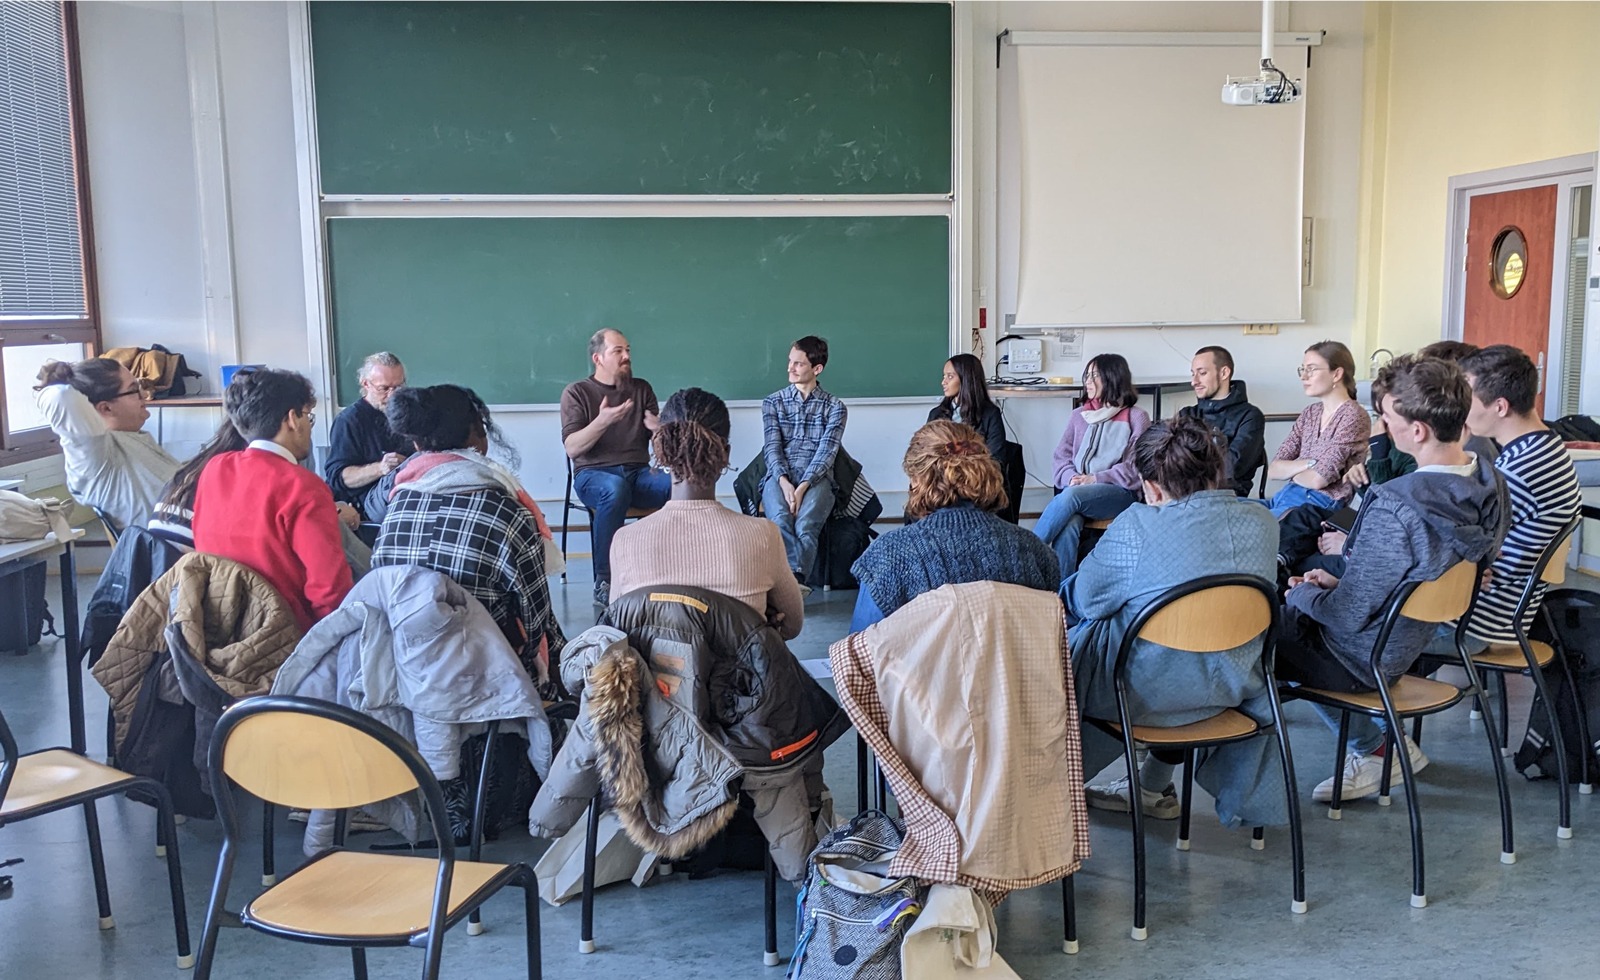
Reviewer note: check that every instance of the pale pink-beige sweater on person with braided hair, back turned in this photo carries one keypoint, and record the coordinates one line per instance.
(703, 544)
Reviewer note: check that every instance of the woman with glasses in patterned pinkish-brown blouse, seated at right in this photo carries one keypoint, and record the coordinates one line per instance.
(1329, 438)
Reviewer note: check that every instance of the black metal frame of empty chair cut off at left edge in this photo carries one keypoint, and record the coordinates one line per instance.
(166, 833)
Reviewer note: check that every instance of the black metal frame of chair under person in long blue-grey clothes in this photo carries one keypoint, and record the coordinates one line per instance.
(1124, 731)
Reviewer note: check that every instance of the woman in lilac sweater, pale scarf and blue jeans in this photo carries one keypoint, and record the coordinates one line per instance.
(1095, 459)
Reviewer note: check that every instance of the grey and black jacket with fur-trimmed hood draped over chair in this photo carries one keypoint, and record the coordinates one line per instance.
(689, 697)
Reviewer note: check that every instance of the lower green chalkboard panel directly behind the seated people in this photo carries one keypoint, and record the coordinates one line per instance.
(506, 305)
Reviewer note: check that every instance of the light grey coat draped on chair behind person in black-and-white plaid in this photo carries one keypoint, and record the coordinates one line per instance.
(420, 654)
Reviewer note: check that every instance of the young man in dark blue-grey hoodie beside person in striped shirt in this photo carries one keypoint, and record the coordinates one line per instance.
(1415, 528)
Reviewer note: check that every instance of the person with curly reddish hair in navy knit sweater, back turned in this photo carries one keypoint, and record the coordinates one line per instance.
(956, 539)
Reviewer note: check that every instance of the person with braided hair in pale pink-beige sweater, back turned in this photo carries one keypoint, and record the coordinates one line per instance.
(697, 542)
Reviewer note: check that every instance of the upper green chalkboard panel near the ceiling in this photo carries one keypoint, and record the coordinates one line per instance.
(633, 98)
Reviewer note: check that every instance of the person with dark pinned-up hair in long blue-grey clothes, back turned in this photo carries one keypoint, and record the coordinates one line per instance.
(1191, 524)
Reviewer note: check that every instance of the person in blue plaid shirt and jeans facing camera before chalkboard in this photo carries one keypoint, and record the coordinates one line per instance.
(802, 428)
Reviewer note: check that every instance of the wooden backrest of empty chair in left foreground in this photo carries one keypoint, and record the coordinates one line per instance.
(313, 763)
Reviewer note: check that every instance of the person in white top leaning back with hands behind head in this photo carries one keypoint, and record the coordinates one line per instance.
(97, 409)
